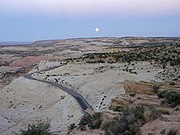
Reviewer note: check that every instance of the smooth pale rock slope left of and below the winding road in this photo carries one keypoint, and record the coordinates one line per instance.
(25, 102)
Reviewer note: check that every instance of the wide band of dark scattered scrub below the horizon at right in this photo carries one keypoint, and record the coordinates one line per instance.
(161, 54)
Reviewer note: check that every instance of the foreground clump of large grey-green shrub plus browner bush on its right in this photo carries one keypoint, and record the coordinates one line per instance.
(130, 121)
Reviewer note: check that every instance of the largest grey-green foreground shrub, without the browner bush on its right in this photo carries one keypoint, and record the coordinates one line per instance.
(129, 123)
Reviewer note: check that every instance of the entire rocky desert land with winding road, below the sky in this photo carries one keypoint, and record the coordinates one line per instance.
(92, 86)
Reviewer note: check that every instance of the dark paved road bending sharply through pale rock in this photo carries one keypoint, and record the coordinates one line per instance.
(82, 102)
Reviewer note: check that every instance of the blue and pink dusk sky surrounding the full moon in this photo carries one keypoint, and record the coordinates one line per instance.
(30, 20)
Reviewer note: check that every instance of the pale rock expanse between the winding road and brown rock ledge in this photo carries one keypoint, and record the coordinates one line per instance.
(99, 83)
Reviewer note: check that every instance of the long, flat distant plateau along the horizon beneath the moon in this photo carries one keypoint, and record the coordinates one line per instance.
(113, 41)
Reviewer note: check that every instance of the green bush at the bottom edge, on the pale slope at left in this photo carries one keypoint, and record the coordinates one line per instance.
(42, 128)
